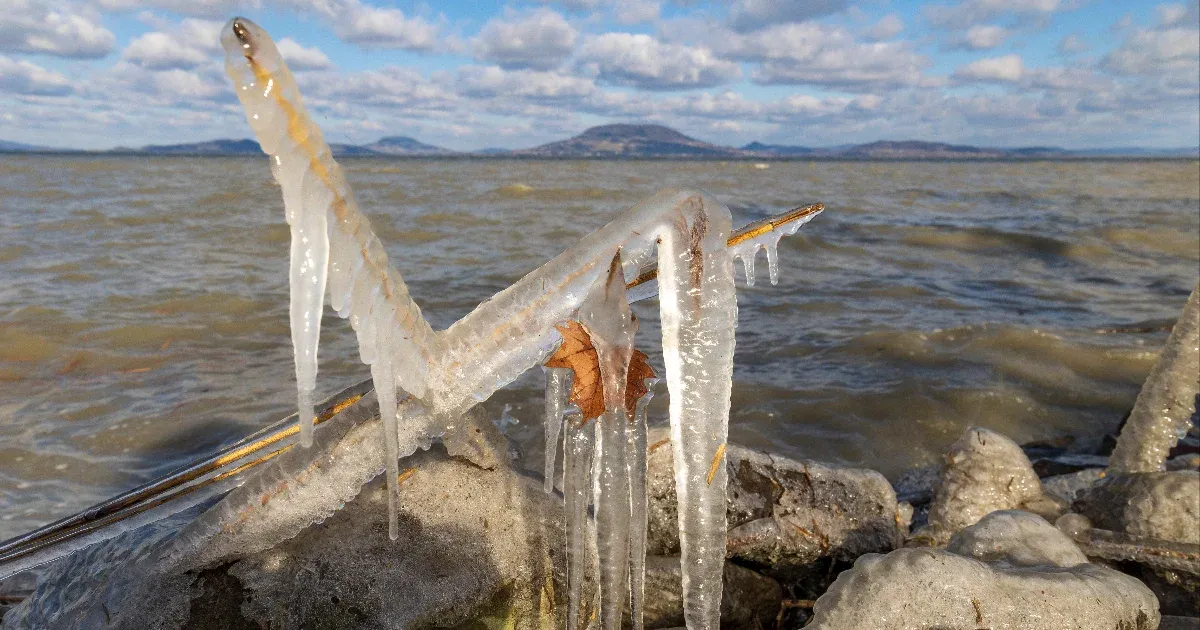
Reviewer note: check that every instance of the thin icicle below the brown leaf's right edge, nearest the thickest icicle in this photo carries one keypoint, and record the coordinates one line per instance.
(638, 509)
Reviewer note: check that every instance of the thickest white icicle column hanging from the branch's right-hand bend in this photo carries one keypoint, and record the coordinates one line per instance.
(699, 313)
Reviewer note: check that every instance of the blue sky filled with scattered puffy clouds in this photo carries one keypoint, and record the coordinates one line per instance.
(517, 74)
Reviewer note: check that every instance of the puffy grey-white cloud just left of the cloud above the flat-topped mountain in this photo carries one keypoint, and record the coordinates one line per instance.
(542, 40)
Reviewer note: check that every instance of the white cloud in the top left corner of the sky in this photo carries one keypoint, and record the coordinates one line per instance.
(63, 31)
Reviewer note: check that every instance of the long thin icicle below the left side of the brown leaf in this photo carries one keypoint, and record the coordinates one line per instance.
(578, 452)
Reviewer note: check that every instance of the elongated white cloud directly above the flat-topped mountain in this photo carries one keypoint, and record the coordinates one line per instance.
(643, 62)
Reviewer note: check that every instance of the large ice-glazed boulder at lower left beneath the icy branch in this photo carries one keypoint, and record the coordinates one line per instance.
(473, 544)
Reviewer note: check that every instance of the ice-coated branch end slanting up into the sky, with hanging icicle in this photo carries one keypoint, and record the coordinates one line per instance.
(314, 193)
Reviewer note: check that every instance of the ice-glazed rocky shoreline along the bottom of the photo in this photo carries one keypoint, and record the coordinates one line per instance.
(970, 544)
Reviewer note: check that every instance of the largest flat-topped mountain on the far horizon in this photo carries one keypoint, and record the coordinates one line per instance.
(632, 141)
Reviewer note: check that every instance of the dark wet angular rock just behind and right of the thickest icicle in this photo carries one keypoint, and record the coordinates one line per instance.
(784, 515)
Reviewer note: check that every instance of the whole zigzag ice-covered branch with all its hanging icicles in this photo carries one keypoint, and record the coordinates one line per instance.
(449, 373)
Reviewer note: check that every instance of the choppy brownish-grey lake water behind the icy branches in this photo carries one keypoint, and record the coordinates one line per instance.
(143, 303)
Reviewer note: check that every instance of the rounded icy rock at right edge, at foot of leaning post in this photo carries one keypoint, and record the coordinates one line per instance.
(1159, 506)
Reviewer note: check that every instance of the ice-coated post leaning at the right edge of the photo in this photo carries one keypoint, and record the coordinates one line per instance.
(1168, 399)
